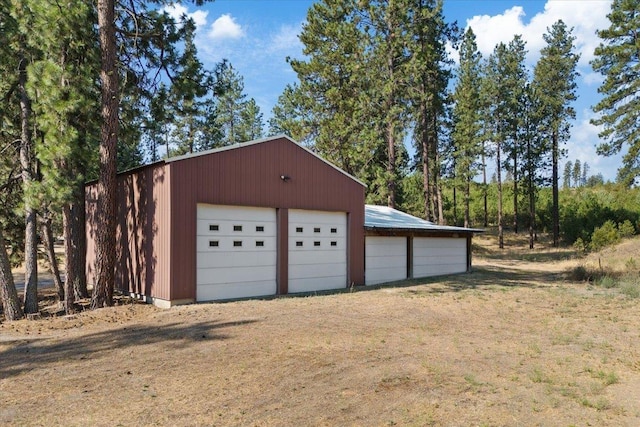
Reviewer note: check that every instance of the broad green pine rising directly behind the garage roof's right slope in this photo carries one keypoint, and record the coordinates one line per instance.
(333, 103)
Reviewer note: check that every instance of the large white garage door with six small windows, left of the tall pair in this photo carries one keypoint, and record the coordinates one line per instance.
(236, 252)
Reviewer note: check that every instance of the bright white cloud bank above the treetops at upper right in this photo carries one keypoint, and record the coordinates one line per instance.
(584, 16)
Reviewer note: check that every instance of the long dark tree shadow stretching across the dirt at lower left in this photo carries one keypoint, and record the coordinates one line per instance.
(23, 354)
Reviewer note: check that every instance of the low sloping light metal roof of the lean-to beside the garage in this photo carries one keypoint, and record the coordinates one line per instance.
(386, 218)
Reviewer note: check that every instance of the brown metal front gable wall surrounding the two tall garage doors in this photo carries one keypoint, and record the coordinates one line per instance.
(250, 176)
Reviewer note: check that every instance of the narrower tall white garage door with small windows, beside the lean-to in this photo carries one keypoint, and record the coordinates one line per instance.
(317, 250)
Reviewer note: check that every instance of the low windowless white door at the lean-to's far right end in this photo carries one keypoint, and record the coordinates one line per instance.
(433, 256)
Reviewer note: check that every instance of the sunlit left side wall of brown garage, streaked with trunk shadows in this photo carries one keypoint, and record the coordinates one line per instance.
(143, 239)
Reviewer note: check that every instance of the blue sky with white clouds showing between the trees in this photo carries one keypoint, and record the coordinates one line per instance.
(257, 36)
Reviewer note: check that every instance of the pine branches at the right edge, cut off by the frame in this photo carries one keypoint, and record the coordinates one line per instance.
(617, 58)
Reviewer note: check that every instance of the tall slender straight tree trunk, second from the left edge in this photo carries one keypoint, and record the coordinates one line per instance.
(31, 226)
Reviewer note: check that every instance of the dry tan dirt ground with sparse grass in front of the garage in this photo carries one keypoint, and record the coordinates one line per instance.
(515, 343)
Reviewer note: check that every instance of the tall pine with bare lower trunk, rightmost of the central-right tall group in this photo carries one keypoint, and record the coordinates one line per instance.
(554, 83)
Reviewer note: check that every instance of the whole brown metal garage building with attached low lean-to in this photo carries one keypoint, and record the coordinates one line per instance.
(267, 217)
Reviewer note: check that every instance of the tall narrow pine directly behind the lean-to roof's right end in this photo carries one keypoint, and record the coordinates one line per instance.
(466, 117)
